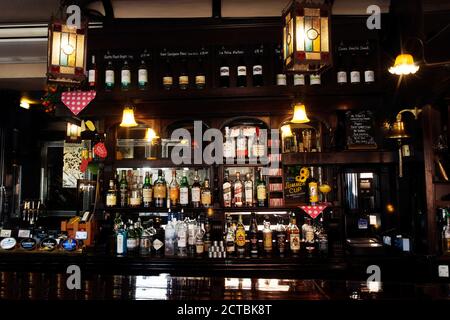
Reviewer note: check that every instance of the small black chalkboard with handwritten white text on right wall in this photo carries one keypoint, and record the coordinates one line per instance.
(360, 130)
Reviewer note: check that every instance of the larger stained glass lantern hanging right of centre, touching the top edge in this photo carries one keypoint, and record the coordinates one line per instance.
(306, 37)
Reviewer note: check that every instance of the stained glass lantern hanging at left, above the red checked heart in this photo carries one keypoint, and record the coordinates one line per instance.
(66, 53)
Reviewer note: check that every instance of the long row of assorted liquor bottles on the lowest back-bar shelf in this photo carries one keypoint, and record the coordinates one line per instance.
(186, 237)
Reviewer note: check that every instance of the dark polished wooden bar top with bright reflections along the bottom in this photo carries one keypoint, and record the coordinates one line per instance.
(51, 286)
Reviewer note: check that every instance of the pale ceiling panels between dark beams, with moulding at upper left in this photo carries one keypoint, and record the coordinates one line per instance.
(24, 49)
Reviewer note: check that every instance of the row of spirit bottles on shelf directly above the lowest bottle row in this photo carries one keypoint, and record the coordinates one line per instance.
(135, 191)
